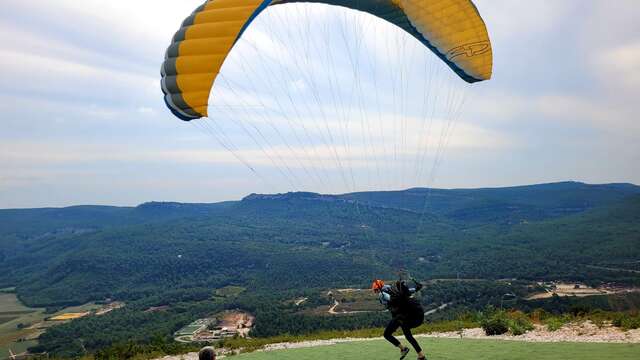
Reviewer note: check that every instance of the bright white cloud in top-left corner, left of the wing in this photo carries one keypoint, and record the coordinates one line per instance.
(134, 26)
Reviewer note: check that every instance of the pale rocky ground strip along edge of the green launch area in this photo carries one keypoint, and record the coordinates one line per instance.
(578, 332)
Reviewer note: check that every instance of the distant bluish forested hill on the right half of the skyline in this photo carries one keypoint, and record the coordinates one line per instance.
(532, 202)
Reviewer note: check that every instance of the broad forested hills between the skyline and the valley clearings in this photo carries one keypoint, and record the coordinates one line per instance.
(77, 254)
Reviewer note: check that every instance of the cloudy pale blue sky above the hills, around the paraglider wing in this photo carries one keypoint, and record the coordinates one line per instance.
(84, 122)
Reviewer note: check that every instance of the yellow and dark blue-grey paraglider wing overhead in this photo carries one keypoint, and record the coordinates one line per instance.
(452, 29)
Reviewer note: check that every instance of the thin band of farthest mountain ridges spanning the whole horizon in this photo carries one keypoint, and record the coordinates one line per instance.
(505, 205)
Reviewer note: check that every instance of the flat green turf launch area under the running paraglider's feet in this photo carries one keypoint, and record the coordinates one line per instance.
(455, 349)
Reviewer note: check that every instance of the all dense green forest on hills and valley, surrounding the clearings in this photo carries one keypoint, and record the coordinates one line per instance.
(284, 246)
